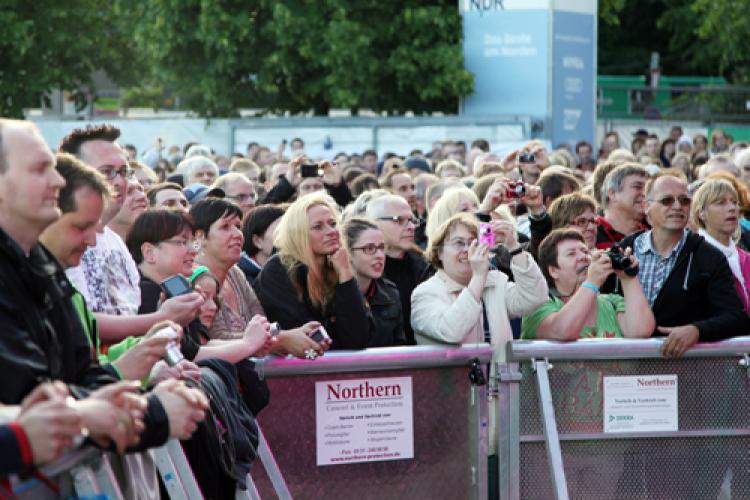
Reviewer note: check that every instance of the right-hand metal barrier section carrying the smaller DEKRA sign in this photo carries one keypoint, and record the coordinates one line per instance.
(553, 405)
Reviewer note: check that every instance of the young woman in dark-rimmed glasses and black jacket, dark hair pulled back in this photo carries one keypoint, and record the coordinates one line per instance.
(366, 246)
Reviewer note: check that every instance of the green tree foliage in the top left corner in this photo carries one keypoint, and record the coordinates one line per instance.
(46, 44)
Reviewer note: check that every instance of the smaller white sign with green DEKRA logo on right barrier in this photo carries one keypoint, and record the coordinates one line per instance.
(642, 403)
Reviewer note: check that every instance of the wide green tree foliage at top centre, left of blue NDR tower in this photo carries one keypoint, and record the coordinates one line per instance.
(301, 55)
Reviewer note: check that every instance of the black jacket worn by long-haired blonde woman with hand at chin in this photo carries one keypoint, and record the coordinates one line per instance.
(345, 321)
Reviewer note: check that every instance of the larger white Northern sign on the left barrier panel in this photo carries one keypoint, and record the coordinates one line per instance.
(364, 420)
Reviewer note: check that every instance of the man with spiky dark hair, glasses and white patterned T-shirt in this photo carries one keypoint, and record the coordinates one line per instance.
(107, 276)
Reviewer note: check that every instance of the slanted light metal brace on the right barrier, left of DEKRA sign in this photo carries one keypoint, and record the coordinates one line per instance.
(552, 439)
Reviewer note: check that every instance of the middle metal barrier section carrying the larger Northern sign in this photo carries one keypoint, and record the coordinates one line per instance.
(449, 425)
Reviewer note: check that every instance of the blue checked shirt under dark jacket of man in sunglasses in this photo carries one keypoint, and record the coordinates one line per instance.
(653, 268)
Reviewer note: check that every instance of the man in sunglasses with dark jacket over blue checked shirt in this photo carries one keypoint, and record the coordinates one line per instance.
(686, 280)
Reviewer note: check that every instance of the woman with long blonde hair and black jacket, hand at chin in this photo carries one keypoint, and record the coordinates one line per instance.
(310, 277)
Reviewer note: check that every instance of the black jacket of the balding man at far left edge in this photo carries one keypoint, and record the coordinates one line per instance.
(43, 338)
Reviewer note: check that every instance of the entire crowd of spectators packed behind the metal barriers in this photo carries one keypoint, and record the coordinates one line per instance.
(277, 253)
